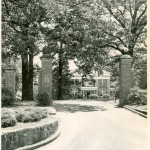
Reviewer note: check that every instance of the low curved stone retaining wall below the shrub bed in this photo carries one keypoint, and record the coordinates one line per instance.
(19, 138)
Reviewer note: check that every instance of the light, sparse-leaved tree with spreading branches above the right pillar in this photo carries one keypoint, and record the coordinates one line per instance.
(126, 27)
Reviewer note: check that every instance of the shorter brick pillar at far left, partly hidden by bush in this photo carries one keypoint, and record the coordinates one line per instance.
(10, 73)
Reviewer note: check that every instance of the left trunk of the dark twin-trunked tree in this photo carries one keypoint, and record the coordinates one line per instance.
(25, 77)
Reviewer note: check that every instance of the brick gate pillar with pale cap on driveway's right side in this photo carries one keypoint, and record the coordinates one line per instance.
(125, 78)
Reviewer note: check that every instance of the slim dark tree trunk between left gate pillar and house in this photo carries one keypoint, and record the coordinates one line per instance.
(60, 67)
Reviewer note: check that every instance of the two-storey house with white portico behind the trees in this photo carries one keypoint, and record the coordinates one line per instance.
(93, 84)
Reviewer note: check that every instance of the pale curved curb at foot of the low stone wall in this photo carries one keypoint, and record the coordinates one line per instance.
(42, 143)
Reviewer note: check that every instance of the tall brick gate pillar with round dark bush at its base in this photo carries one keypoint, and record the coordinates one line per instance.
(46, 75)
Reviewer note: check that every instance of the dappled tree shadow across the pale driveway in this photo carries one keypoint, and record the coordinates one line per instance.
(72, 108)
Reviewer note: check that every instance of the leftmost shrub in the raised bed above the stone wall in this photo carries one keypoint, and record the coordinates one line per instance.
(8, 119)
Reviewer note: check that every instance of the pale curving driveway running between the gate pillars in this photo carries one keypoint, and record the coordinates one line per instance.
(93, 125)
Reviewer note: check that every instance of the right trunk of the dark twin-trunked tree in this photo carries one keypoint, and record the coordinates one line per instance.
(30, 78)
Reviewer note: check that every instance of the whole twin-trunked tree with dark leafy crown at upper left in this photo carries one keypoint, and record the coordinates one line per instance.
(23, 19)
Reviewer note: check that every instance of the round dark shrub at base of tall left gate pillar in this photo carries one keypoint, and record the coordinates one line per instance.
(43, 99)
